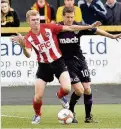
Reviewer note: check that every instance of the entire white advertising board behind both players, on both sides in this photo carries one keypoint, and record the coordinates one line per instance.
(102, 54)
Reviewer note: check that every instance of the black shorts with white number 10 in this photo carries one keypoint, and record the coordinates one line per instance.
(78, 70)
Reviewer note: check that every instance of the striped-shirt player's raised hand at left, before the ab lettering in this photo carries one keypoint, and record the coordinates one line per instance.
(19, 38)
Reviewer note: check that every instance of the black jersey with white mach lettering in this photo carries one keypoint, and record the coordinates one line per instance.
(69, 42)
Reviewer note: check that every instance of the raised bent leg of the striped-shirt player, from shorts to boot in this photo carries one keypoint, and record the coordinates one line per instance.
(62, 74)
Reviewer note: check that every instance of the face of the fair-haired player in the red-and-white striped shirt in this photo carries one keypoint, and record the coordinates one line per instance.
(34, 21)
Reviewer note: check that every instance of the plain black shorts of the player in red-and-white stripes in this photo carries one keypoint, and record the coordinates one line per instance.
(46, 72)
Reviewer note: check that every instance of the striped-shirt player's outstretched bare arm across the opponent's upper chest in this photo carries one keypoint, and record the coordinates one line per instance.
(79, 27)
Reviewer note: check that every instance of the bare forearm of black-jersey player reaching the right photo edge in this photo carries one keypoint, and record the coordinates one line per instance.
(106, 34)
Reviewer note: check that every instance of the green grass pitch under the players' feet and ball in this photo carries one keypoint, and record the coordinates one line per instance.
(109, 116)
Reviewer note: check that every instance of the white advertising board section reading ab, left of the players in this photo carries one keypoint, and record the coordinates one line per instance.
(16, 69)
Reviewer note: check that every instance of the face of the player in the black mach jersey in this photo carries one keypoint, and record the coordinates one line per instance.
(68, 18)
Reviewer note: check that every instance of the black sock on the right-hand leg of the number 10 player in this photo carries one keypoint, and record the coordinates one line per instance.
(88, 104)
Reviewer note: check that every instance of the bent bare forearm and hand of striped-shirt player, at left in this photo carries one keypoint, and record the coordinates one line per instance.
(20, 39)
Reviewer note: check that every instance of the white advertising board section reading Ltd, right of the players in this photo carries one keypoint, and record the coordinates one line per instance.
(103, 56)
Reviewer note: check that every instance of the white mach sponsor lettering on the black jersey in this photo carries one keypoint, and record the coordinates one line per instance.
(69, 40)
